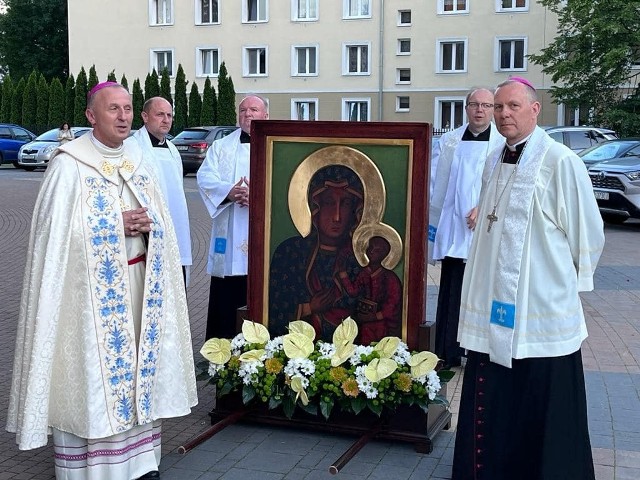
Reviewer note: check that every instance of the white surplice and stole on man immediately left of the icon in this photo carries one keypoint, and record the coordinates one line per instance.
(227, 161)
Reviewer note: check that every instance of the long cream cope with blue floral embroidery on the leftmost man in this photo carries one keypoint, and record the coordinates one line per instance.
(78, 367)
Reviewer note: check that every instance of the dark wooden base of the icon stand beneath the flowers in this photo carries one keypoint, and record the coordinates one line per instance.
(407, 423)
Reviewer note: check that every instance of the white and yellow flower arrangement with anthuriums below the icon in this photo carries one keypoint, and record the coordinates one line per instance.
(294, 370)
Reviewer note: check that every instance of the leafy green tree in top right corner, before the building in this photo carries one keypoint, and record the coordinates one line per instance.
(591, 59)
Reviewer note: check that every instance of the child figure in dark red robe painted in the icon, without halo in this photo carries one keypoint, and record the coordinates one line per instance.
(379, 294)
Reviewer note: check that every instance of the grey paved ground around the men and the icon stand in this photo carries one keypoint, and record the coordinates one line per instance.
(248, 451)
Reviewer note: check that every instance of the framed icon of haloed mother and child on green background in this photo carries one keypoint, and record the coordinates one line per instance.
(338, 222)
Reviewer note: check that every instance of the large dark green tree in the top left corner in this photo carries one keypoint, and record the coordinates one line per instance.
(33, 35)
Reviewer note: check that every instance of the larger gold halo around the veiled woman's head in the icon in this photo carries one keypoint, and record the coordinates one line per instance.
(363, 166)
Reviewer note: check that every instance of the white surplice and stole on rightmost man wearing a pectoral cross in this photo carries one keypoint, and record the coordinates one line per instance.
(561, 237)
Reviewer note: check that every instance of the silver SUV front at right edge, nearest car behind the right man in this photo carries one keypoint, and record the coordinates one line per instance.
(616, 185)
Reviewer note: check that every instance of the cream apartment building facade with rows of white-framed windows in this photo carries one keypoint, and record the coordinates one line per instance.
(364, 60)
